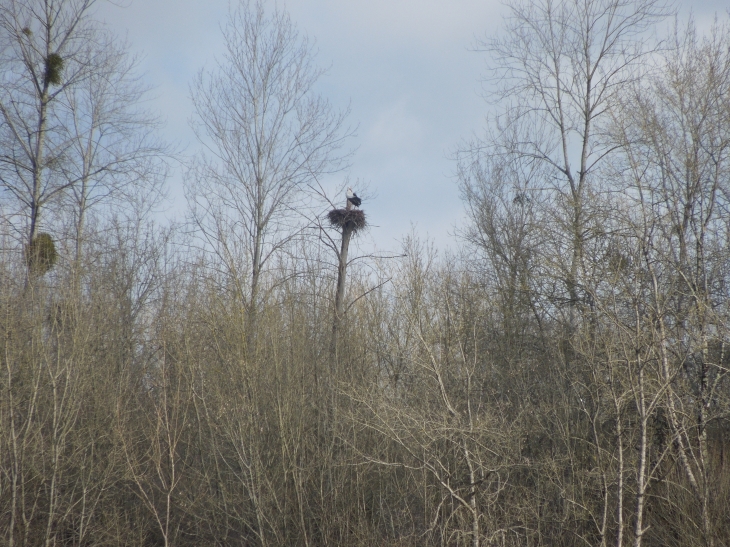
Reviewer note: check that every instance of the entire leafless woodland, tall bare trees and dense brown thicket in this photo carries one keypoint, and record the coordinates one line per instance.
(560, 380)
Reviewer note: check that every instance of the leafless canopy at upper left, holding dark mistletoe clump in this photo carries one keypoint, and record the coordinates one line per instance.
(72, 134)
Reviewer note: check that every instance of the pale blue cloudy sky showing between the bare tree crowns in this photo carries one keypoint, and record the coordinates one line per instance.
(407, 70)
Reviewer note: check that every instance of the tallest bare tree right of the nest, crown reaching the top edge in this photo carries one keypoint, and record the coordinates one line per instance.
(559, 67)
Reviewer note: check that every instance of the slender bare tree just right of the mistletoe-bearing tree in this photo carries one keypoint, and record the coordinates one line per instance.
(113, 153)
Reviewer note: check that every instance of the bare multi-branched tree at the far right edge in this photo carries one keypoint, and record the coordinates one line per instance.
(676, 150)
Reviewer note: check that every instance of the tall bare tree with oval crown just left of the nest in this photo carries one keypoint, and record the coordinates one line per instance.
(267, 133)
